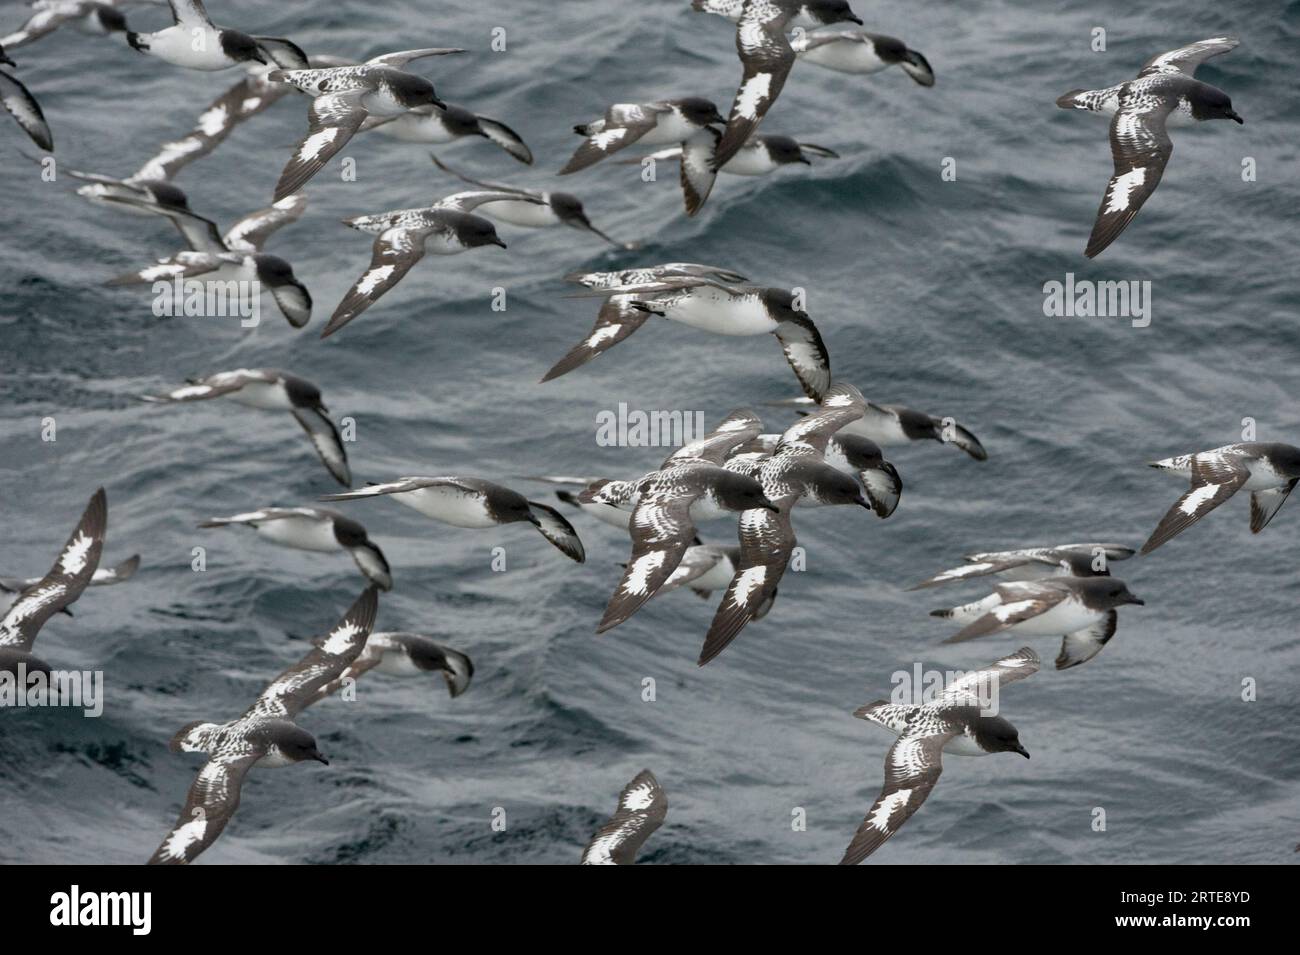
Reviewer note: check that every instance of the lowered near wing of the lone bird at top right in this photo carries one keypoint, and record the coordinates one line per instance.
(1141, 147)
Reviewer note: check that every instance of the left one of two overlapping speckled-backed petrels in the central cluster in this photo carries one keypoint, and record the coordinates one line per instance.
(691, 485)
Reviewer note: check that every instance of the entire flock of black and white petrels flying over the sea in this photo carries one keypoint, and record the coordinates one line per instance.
(831, 455)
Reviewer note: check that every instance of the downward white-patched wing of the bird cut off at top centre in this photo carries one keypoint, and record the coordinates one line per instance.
(766, 58)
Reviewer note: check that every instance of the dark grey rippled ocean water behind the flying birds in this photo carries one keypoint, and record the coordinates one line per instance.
(928, 292)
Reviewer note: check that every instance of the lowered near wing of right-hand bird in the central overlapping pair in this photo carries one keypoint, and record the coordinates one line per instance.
(766, 541)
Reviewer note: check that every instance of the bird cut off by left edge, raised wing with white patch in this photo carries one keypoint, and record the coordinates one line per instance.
(71, 575)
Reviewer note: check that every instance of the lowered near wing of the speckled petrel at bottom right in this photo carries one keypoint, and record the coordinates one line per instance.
(912, 770)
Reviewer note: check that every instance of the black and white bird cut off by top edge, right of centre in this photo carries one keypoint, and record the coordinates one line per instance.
(766, 57)
